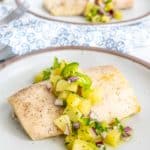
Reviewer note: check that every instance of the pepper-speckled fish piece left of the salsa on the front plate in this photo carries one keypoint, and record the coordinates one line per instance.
(35, 110)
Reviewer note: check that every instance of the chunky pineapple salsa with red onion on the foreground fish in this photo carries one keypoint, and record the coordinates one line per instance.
(73, 91)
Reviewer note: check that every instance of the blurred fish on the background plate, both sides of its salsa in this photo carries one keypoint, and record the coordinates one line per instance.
(76, 7)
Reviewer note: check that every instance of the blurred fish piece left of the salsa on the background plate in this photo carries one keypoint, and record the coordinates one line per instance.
(65, 7)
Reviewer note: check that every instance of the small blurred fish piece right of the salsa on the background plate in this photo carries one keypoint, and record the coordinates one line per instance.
(124, 4)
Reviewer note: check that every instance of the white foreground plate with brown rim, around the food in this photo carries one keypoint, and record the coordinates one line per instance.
(19, 74)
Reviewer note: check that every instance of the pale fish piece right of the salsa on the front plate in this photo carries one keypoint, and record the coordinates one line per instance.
(118, 99)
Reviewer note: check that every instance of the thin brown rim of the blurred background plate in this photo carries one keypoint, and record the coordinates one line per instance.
(18, 2)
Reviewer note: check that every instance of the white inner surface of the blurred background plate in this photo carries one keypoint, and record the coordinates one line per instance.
(140, 9)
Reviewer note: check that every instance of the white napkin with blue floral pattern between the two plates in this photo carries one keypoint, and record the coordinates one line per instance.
(31, 33)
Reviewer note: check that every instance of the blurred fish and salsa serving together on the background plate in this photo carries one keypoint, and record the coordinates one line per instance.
(93, 10)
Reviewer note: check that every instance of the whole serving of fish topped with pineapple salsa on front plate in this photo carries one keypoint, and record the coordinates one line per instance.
(86, 106)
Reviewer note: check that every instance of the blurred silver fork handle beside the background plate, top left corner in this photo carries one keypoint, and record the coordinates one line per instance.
(15, 14)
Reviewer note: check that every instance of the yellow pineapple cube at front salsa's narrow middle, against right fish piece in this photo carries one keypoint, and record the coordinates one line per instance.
(85, 106)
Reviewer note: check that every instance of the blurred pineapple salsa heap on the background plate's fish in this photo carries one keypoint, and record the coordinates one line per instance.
(101, 11)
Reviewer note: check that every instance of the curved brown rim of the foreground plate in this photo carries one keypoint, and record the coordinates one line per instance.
(78, 48)
